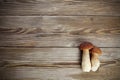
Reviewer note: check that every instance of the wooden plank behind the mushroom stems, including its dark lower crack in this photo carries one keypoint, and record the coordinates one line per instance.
(50, 57)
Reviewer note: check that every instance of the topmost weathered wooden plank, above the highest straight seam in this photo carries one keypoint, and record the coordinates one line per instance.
(60, 7)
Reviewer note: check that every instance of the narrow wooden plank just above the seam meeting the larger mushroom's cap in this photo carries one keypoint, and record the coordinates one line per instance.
(59, 42)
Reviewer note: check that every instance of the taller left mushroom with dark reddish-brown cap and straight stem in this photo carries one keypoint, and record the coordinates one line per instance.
(86, 64)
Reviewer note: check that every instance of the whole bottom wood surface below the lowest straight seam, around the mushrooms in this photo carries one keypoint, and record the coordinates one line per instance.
(55, 64)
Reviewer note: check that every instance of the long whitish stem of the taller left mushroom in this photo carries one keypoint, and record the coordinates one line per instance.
(86, 65)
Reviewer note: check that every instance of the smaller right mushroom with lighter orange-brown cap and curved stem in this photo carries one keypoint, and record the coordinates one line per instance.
(94, 58)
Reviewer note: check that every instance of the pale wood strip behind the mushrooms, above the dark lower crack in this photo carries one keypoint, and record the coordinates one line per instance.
(51, 55)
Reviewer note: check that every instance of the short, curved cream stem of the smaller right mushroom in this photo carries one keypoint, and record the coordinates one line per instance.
(95, 62)
